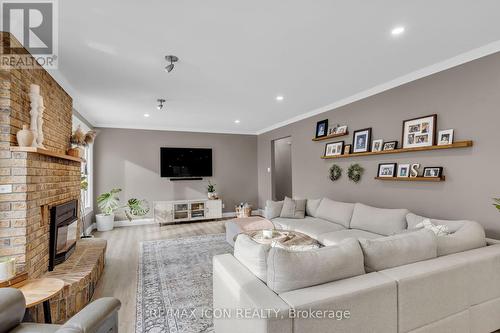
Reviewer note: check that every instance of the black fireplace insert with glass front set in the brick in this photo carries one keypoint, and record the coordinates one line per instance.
(63, 232)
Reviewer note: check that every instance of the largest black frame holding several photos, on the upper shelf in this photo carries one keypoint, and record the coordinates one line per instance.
(419, 132)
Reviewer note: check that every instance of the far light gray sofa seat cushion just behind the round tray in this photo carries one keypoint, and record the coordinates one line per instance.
(311, 226)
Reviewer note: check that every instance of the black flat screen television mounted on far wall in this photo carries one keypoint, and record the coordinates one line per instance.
(185, 162)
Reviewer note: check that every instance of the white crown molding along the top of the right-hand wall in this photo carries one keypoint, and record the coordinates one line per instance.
(426, 71)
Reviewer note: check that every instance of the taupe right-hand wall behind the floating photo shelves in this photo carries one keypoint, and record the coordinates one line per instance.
(466, 98)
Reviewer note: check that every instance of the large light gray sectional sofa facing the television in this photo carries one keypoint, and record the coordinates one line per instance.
(379, 271)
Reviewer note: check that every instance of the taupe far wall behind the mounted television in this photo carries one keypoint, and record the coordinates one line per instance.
(130, 159)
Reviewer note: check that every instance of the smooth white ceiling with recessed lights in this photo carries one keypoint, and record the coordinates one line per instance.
(237, 56)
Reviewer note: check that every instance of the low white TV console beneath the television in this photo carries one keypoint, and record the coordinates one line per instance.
(186, 210)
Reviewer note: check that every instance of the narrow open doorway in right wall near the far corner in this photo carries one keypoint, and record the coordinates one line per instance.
(281, 168)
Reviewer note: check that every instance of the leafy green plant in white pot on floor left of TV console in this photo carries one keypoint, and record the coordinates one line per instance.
(109, 203)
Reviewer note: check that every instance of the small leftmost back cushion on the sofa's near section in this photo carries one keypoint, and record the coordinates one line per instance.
(252, 255)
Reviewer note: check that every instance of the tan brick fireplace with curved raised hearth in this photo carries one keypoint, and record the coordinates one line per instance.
(35, 184)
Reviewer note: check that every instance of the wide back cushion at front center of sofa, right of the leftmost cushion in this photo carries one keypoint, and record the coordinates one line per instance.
(287, 270)
